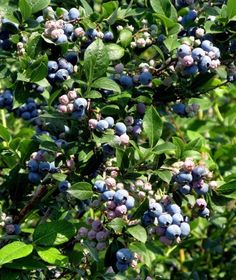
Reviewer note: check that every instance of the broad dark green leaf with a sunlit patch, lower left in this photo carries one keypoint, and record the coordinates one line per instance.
(53, 233)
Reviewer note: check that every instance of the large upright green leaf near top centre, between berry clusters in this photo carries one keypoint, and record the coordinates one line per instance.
(96, 60)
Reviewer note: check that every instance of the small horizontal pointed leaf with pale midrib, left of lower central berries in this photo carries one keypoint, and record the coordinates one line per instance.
(81, 190)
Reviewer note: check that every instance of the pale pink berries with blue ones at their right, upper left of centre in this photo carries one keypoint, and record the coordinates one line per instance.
(70, 103)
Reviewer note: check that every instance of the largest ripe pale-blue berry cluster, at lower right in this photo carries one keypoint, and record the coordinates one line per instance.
(172, 225)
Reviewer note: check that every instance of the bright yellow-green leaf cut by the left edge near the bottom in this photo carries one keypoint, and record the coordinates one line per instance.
(13, 251)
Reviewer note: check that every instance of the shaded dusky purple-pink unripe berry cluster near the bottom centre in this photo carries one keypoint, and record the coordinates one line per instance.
(97, 234)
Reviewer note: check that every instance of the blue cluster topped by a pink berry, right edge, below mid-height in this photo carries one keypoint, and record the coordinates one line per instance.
(191, 177)
